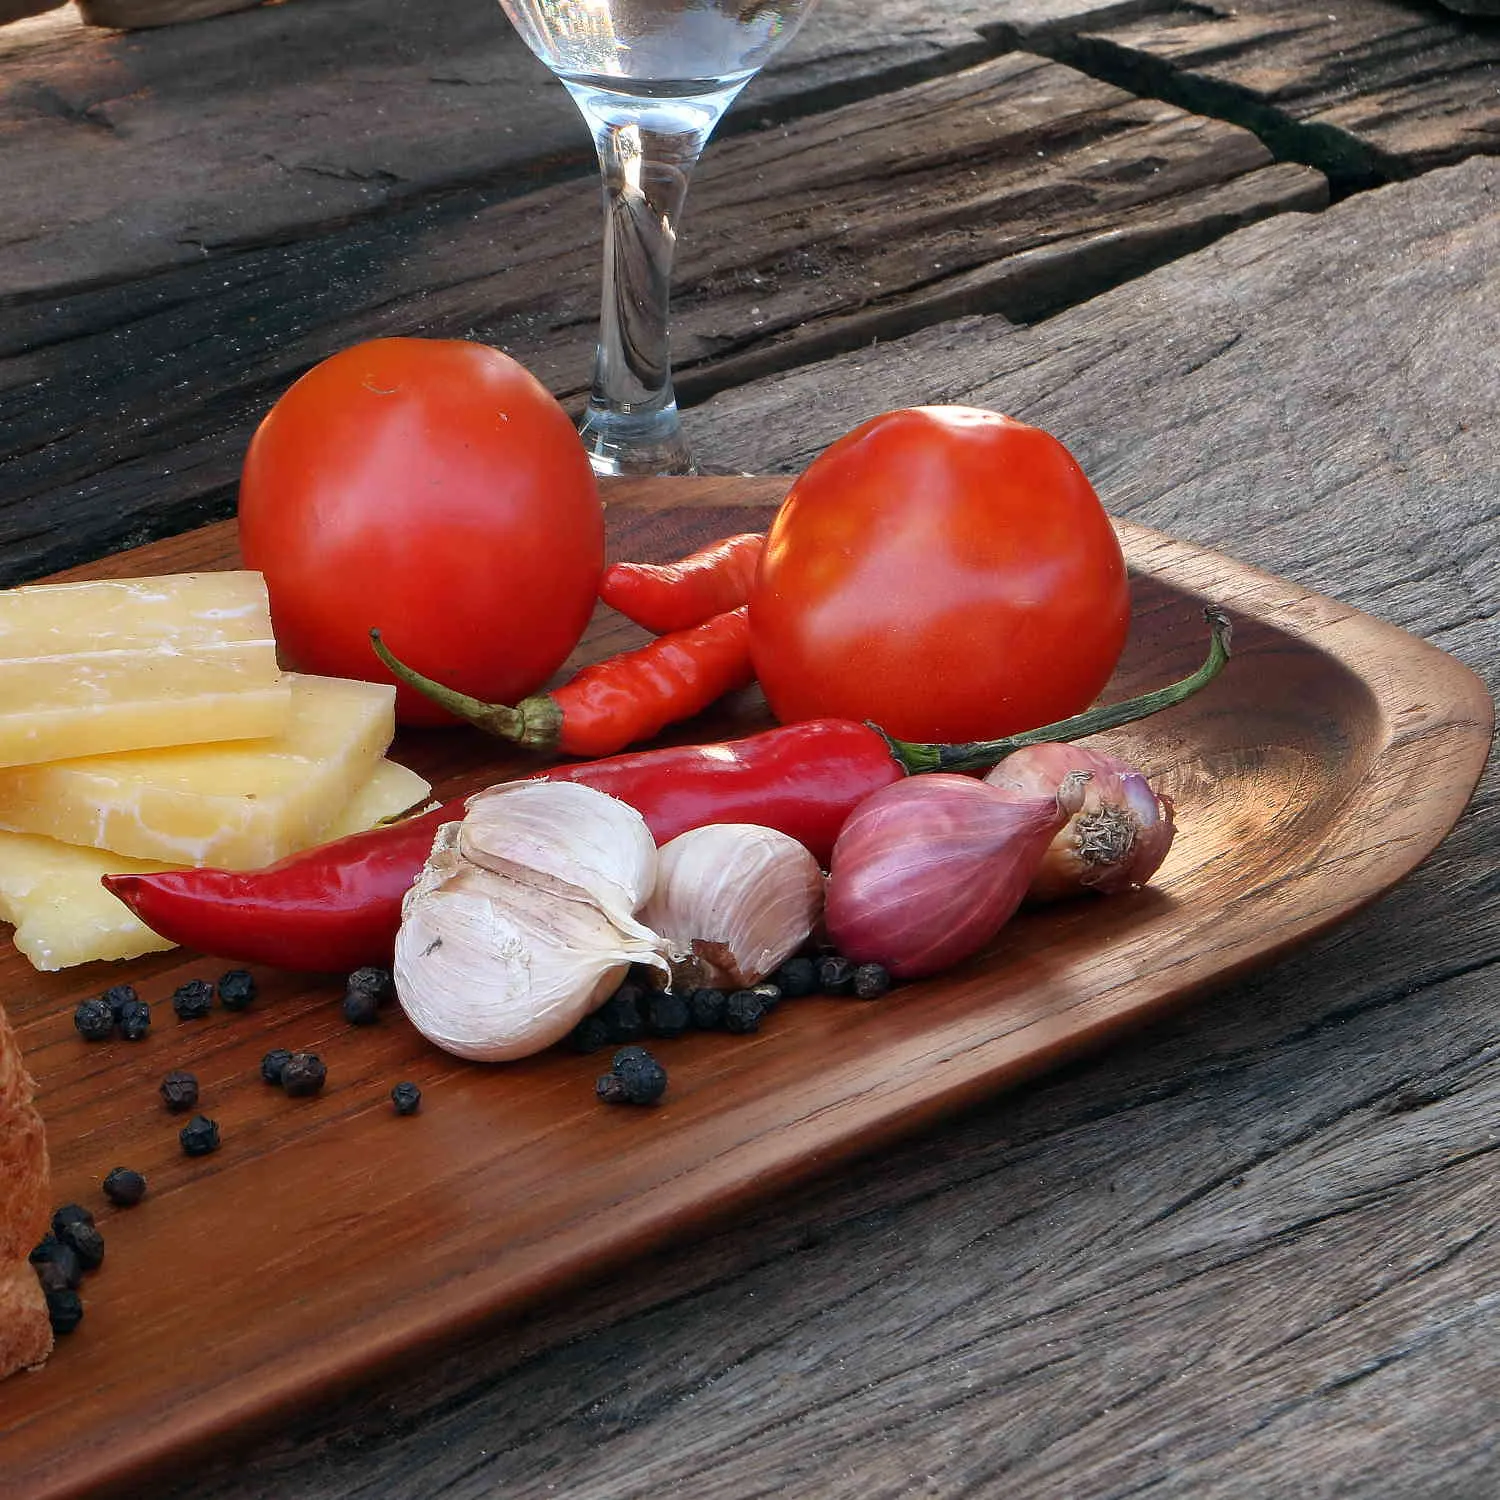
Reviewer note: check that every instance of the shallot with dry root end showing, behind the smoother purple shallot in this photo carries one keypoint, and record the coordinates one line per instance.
(1115, 842)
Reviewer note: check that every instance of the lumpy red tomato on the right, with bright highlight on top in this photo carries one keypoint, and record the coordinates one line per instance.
(946, 574)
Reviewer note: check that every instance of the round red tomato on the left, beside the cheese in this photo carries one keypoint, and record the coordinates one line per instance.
(436, 490)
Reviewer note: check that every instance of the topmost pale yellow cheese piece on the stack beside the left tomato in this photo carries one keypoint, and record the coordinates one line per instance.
(133, 664)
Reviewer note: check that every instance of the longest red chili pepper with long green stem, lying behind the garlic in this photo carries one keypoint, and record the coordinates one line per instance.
(338, 907)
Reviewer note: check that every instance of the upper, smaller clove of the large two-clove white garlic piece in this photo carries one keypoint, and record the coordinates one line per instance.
(565, 838)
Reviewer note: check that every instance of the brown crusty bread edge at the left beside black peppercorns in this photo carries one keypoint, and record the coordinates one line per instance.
(26, 1333)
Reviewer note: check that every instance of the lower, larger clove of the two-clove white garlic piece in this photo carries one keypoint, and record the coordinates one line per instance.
(493, 968)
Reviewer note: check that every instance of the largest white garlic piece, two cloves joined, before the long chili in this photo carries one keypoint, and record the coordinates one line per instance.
(521, 922)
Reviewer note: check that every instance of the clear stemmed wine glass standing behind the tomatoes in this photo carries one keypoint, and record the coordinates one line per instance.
(653, 79)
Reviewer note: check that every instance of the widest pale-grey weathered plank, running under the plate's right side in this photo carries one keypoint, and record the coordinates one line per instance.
(1255, 1253)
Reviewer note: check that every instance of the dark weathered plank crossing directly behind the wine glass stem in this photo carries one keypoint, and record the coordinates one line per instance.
(130, 407)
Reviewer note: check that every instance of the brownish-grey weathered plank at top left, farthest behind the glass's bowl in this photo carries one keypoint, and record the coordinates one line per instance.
(127, 154)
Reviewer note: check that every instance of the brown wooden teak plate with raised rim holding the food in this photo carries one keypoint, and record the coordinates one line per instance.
(328, 1237)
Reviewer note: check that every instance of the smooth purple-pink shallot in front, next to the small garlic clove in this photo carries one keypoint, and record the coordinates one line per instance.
(928, 871)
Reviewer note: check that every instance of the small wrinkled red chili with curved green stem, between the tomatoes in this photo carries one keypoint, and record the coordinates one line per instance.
(611, 704)
